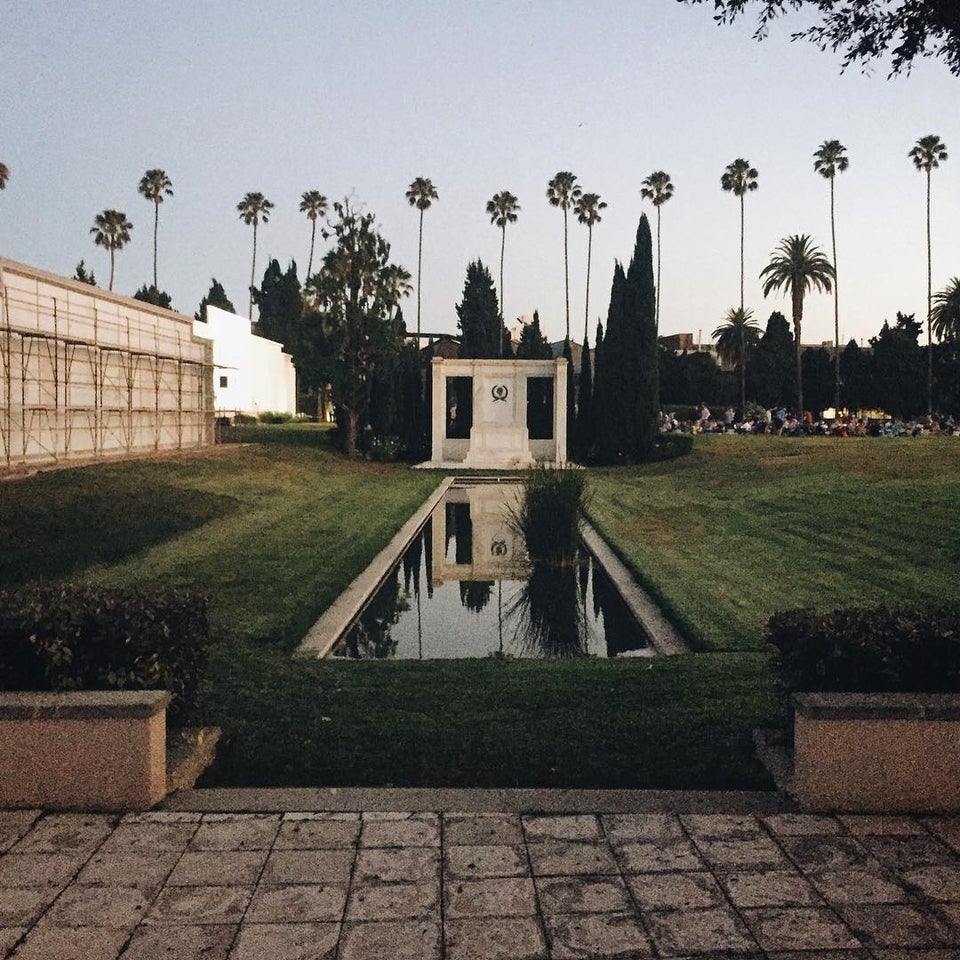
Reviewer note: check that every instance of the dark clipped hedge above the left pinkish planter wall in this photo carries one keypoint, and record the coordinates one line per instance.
(87, 638)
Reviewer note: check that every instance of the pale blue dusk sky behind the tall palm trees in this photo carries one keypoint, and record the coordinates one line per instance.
(358, 99)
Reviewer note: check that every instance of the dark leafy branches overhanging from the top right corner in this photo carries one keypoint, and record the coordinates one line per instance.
(866, 29)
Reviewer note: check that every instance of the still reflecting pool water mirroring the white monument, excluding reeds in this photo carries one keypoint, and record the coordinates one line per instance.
(464, 588)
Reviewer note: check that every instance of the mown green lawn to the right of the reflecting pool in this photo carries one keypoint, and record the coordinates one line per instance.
(745, 526)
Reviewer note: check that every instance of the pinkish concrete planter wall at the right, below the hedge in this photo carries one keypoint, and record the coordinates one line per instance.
(879, 752)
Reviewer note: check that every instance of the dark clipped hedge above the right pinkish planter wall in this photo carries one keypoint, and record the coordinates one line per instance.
(877, 650)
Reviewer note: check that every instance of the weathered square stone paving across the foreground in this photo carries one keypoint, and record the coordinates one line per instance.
(379, 886)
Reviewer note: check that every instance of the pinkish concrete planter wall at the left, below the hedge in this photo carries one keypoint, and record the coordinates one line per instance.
(84, 750)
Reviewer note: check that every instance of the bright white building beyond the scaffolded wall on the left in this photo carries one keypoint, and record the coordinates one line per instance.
(250, 374)
